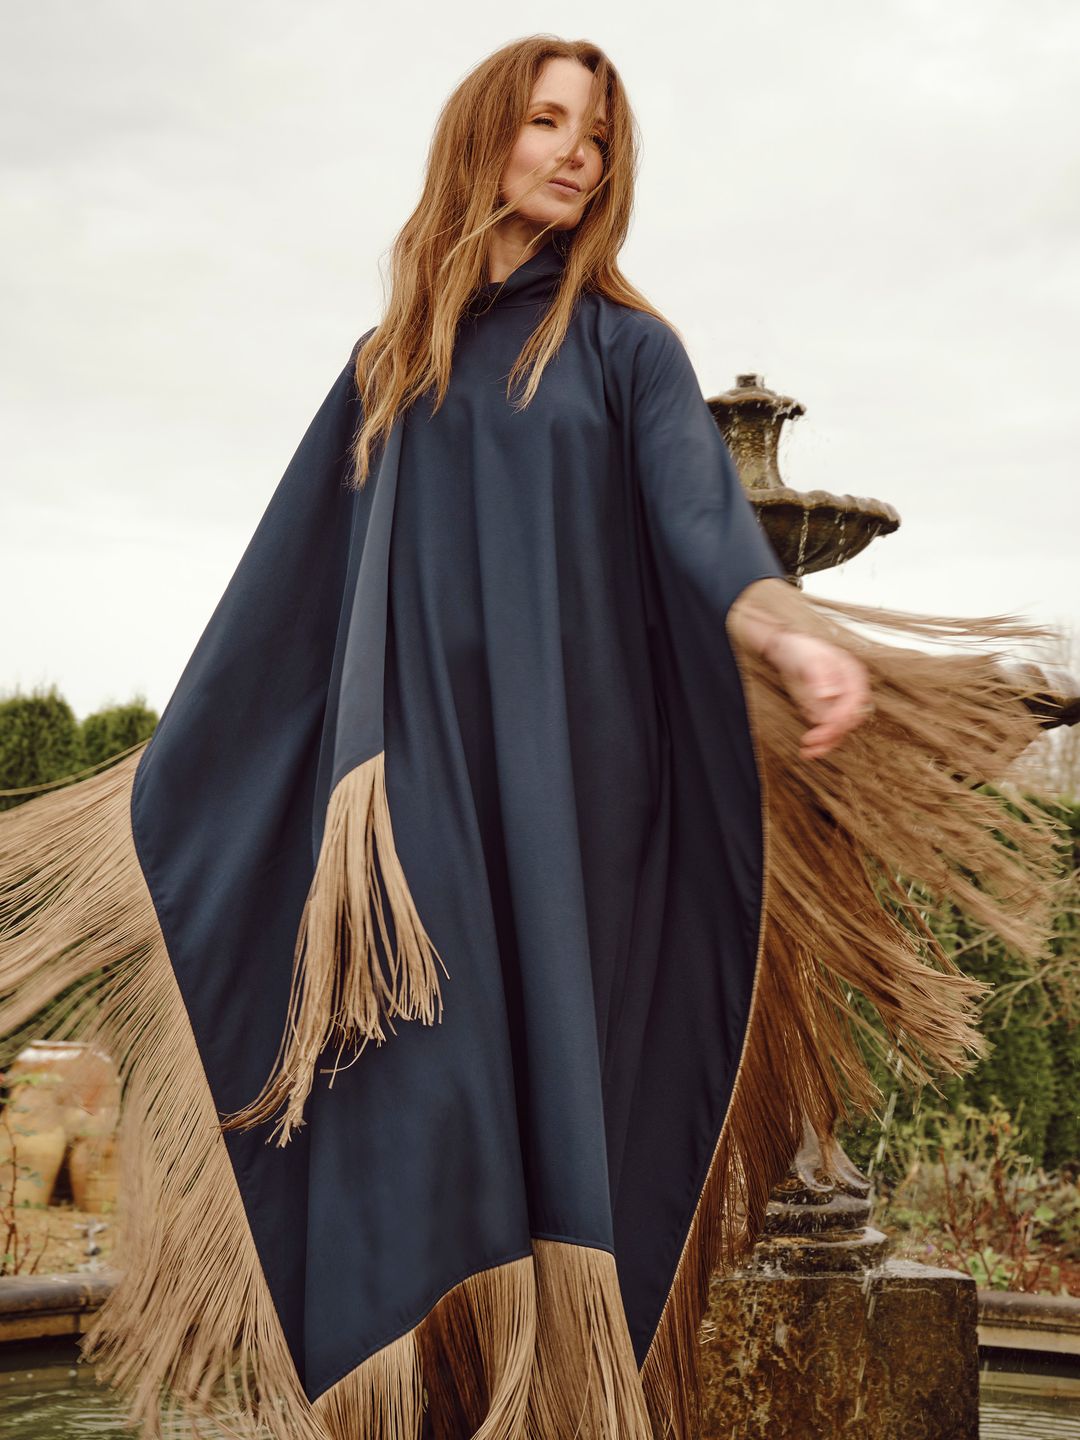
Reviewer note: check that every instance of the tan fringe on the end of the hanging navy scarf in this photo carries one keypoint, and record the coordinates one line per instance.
(341, 991)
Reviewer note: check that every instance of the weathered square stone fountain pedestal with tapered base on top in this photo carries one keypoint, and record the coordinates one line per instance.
(823, 1337)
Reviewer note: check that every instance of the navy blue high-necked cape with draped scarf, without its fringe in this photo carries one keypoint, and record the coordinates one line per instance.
(525, 611)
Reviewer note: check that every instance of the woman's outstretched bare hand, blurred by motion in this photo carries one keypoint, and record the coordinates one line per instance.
(830, 686)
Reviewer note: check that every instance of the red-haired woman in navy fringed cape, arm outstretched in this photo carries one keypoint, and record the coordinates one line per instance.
(467, 744)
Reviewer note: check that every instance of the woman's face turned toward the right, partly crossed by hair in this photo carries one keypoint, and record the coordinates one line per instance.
(545, 148)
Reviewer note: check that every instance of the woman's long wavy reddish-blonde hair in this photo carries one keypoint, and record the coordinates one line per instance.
(440, 257)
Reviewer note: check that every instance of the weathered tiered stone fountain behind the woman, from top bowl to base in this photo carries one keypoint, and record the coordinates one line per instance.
(822, 1334)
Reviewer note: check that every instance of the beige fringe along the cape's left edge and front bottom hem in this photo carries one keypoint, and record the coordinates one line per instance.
(528, 1350)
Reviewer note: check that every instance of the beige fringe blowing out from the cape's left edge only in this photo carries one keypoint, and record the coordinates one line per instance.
(191, 1326)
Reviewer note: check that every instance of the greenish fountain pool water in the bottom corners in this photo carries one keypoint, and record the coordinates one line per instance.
(47, 1393)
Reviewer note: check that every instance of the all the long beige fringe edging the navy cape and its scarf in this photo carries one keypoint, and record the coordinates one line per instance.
(538, 1349)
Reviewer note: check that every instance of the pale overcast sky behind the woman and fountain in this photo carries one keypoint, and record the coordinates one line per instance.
(876, 207)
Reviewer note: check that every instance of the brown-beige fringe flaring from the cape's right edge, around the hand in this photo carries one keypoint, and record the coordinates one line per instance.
(894, 800)
